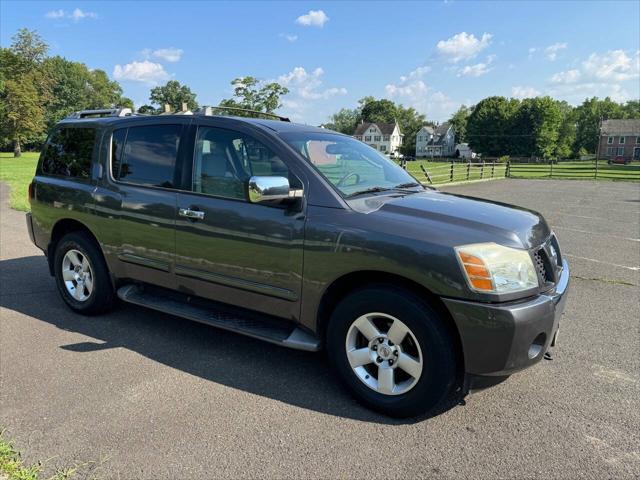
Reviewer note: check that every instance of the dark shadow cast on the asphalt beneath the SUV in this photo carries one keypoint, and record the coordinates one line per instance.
(298, 378)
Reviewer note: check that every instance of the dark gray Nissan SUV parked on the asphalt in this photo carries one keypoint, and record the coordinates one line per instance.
(301, 237)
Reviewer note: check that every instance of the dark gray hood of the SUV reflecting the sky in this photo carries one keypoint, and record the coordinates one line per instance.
(486, 220)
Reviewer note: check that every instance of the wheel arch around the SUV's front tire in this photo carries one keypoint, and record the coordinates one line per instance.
(353, 281)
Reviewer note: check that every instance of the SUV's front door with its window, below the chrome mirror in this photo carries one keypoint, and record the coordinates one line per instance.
(240, 253)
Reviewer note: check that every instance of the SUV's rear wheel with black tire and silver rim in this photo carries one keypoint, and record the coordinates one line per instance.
(82, 276)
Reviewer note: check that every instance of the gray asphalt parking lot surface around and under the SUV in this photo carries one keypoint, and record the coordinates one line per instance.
(147, 395)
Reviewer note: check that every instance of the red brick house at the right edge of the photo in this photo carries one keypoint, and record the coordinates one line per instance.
(620, 138)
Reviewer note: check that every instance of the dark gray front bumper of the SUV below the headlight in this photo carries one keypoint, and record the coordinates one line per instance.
(500, 339)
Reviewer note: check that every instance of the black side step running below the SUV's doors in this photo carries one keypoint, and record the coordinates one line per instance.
(262, 327)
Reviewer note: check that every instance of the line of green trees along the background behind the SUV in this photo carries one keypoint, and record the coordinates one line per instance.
(37, 90)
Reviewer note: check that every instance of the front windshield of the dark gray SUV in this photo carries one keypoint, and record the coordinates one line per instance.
(350, 165)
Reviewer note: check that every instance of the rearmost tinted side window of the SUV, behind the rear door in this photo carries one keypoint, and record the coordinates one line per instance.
(68, 152)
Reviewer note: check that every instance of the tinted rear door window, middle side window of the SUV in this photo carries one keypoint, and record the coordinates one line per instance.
(145, 155)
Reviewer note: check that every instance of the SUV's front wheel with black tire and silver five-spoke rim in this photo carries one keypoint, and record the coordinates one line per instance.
(393, 351)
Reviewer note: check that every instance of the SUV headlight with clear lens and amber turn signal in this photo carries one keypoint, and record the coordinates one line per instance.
(493, 268)
